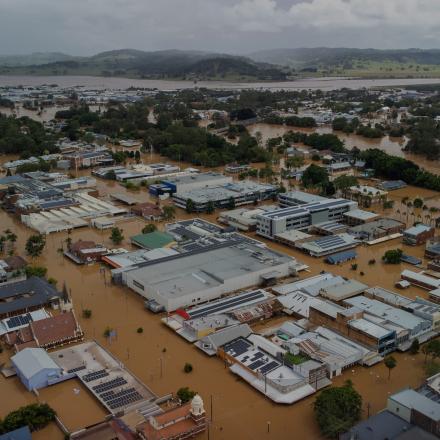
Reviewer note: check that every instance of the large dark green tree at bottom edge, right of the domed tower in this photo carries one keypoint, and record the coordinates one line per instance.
(337, 409)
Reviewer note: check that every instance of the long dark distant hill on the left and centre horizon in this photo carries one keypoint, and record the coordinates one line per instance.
(159, 64)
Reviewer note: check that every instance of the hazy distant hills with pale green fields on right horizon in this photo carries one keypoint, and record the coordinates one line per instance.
(405, 62)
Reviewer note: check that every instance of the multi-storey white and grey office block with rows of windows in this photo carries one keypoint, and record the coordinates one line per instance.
(301, 215)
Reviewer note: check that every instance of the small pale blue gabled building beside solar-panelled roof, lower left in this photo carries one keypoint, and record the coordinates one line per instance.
(35, 368)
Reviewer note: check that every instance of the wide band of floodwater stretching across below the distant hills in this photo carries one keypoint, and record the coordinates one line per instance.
(96, 82)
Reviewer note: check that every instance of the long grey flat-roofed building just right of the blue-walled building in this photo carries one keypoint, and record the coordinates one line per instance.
(225, 196)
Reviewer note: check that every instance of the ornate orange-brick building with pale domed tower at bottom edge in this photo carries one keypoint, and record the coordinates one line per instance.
(181, 422)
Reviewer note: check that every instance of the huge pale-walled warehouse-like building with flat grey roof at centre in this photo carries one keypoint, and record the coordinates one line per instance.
(207, 273)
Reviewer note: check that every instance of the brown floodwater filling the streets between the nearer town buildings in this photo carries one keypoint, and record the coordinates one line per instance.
(238, 410)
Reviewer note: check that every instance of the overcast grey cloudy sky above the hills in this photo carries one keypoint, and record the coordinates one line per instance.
(85, 27)
